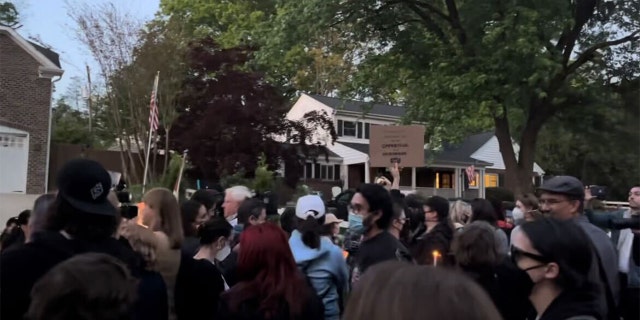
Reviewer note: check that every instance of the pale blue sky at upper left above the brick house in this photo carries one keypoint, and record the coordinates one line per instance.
(48, 20)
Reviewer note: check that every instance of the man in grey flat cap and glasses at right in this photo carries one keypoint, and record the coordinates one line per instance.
(562, 197)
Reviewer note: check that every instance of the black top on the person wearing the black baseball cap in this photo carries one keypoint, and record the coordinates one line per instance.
(22, 267)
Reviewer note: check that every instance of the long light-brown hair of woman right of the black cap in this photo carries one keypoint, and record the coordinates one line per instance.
(165, 204)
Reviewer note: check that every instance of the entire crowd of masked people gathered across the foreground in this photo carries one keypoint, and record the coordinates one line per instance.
(219, 255)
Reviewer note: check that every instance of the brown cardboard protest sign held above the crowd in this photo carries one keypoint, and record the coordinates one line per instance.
(402, 144)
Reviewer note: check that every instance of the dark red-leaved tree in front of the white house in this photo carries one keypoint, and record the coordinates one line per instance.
(229, 116)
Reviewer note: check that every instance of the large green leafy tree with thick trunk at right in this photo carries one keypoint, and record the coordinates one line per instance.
(463, 66)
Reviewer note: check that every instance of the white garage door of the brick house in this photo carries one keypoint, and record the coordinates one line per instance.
(14, 156)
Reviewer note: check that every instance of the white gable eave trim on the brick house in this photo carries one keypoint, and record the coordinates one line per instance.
(48, 60)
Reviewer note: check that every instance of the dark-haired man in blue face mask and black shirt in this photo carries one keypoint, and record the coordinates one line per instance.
(373, 204)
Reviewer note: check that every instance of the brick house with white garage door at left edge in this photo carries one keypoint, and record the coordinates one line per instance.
(27, 73)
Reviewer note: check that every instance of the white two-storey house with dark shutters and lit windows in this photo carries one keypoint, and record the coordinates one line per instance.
(348, 162)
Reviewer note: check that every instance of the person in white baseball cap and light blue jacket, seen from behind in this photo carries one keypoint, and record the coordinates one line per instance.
(317, 257)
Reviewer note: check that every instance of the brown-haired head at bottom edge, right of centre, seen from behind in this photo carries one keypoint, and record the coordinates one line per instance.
(395, 290)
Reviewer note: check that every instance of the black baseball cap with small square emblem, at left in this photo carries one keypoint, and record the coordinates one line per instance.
(85, 185)
